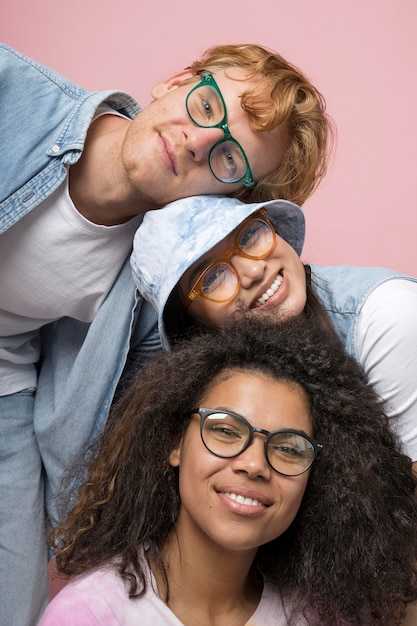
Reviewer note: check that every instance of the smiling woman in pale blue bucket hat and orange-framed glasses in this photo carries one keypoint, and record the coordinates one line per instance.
(215, 257)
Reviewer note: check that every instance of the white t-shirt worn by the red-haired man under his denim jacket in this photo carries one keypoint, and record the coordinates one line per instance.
(53, 263)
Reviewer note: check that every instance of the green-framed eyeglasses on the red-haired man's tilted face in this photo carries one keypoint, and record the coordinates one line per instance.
(206, 108)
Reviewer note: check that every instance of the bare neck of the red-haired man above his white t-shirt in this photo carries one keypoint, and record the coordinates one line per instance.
(97, 183)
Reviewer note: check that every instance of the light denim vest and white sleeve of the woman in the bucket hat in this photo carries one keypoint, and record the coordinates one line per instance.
(383, 339)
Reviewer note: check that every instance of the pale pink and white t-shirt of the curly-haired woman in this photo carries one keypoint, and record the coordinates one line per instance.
(100, 598)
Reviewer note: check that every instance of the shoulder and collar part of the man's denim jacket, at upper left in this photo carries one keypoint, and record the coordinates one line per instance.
(43, 124)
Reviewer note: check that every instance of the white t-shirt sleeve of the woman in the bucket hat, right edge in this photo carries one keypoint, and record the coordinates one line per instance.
(387, 349)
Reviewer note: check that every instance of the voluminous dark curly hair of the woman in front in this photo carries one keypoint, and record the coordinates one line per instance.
(349, 557)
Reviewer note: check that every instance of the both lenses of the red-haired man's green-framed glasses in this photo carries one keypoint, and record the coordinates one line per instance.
(206, 109)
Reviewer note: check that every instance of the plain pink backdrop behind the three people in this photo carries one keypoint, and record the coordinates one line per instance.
(362, 55)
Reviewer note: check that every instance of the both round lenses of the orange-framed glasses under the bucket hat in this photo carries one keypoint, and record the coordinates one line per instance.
(220, 281)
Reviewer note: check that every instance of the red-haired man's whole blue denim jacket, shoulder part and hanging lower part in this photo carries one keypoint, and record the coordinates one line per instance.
(43, 125)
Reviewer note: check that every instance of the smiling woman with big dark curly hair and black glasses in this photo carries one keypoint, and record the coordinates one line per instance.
(247, 477)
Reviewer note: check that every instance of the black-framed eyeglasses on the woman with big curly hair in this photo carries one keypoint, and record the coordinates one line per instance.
(227, 434)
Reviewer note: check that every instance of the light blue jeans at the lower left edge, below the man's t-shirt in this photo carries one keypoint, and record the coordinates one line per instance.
(23, 557)
